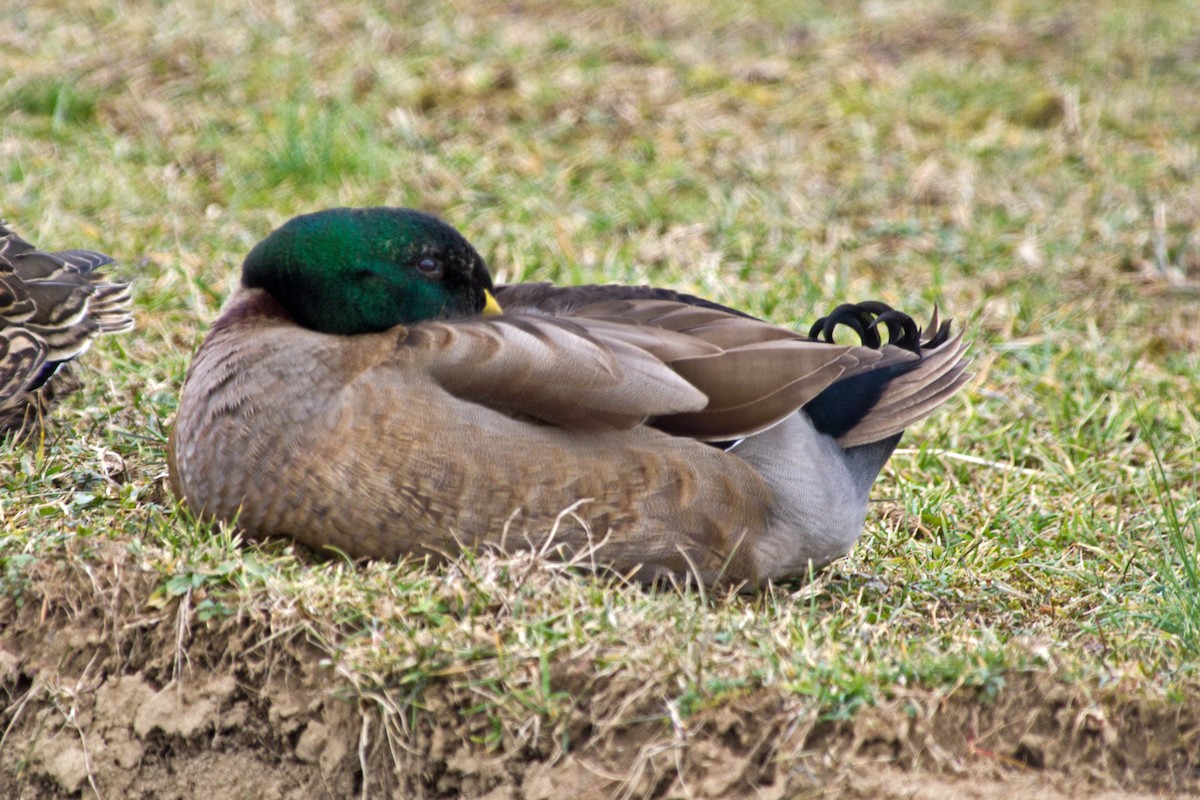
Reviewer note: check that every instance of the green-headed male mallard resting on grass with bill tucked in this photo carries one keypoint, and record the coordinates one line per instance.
(363, 390)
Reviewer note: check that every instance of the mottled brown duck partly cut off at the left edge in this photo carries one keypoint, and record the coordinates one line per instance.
(52, 305)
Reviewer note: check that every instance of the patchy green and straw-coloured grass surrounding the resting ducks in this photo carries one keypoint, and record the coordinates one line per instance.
(1034, 172)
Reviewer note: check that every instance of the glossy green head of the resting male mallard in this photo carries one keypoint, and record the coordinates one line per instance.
(365, 270)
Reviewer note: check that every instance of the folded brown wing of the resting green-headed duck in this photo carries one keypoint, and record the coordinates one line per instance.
(698, 371)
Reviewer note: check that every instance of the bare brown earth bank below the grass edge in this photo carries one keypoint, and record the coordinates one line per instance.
(107, 696)
